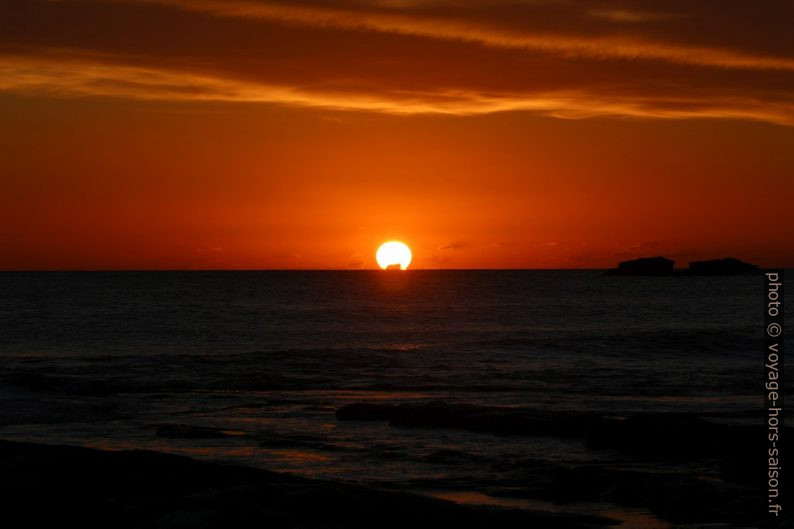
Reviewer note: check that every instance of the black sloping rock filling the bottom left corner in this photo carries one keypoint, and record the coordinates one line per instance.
(62, 486)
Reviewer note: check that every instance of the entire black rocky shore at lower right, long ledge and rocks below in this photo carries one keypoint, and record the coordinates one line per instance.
(731, 495)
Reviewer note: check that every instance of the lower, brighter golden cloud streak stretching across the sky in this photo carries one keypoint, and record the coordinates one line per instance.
(57, 77)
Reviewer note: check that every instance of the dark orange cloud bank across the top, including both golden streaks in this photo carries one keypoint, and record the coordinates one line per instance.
(572, 59)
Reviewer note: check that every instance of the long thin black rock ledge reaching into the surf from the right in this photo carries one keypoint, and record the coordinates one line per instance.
(652, 435)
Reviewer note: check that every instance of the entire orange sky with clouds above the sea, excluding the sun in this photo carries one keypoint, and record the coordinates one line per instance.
(258, 134)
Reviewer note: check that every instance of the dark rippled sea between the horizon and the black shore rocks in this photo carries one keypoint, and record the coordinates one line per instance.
(110, 359)
